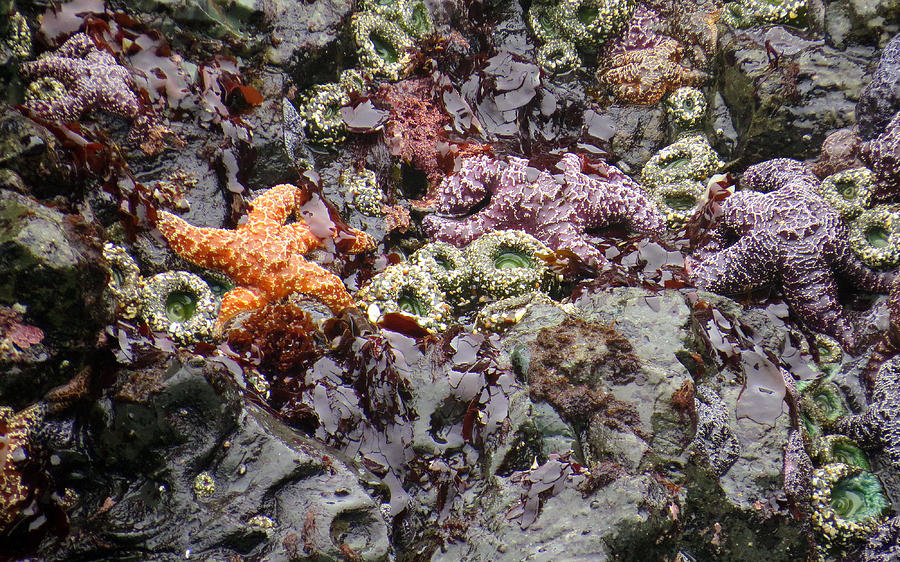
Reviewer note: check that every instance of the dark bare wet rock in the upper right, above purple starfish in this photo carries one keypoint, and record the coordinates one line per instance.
(786, 93)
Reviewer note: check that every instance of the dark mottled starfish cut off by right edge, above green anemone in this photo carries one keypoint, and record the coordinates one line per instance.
(878, 426)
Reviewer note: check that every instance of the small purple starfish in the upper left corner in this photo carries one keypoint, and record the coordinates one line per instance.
(92, 78)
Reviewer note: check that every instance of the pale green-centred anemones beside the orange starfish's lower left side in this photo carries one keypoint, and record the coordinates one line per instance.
(180, 303)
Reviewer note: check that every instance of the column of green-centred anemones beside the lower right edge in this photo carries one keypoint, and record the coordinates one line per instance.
(848, 501)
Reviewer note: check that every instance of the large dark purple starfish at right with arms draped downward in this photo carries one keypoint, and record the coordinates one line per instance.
(789, 236)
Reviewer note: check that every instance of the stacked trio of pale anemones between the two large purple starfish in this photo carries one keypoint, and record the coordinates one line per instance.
(677, 175)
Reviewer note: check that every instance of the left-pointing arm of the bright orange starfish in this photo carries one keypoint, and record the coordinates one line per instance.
(206, 247)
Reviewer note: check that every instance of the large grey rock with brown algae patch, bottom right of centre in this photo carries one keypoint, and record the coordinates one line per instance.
(725, 510)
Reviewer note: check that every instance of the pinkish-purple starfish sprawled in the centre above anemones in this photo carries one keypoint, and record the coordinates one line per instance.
(555, 209)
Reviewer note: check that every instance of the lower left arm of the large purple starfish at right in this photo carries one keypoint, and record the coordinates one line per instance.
(743, 267)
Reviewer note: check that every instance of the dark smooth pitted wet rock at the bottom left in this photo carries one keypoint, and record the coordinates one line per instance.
(182, 467)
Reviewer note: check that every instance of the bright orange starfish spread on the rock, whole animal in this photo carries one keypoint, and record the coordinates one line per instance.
(264, 256)
